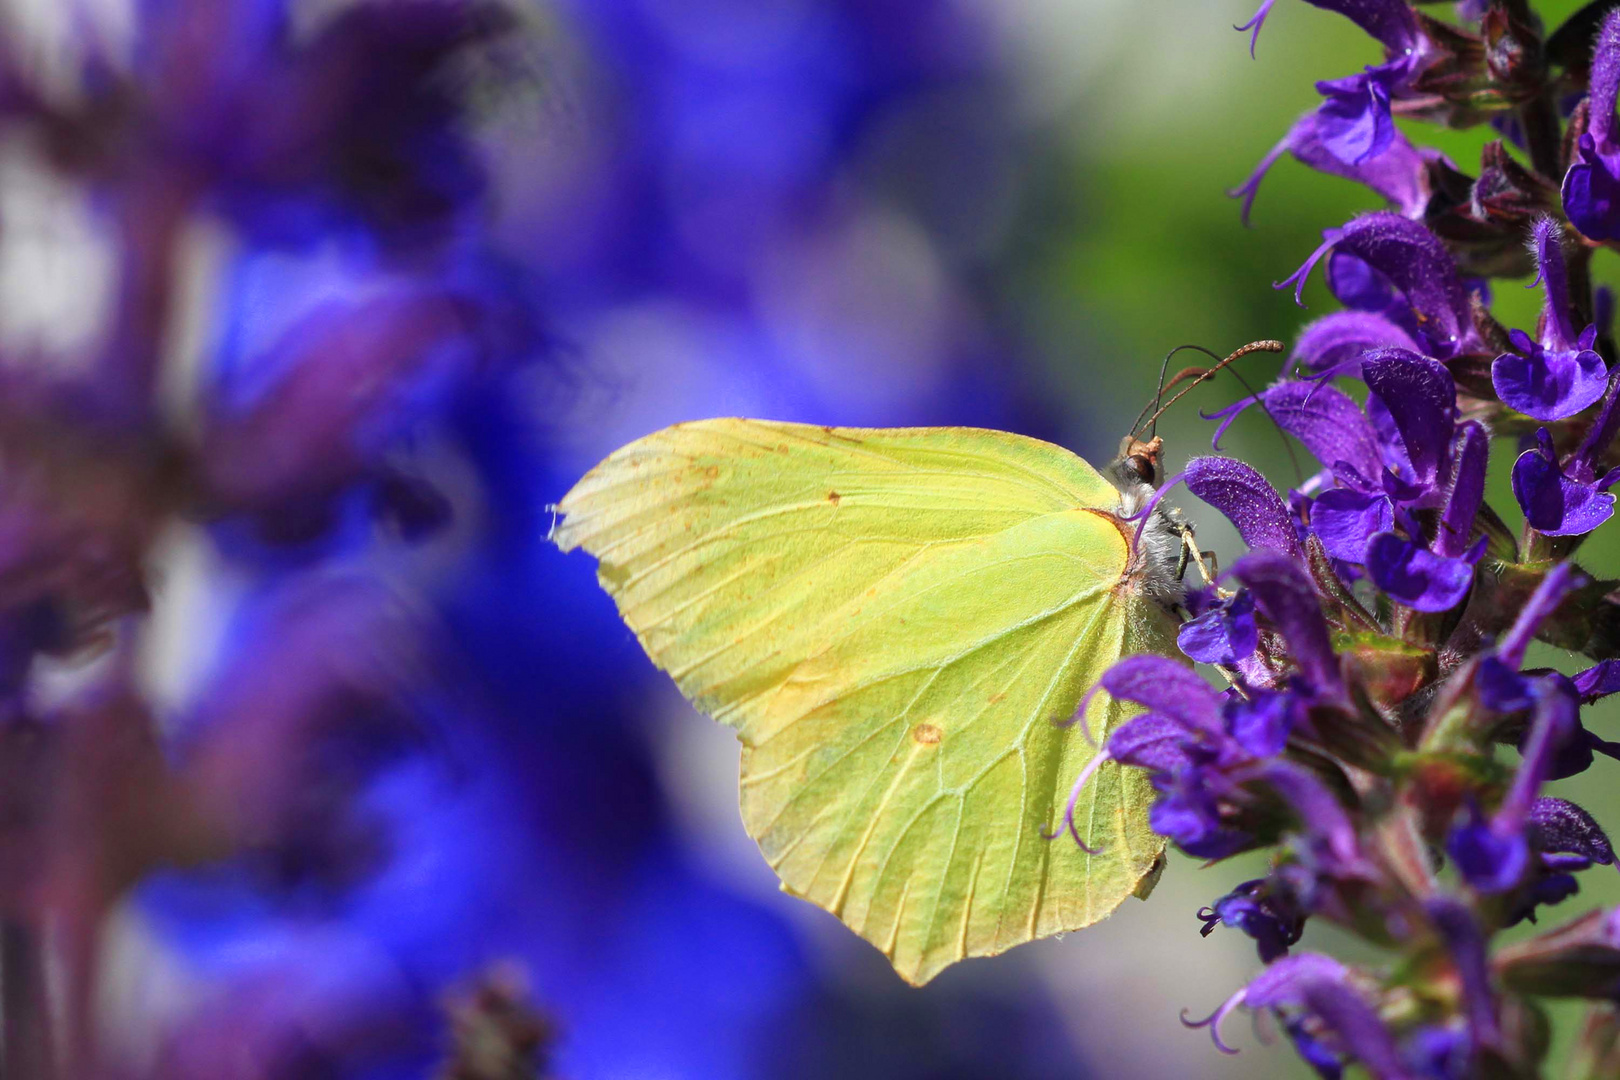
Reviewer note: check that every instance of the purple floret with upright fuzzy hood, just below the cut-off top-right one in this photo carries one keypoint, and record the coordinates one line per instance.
(1561, 375)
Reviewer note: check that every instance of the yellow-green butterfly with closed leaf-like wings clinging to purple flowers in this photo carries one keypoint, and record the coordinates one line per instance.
(900, 624)
